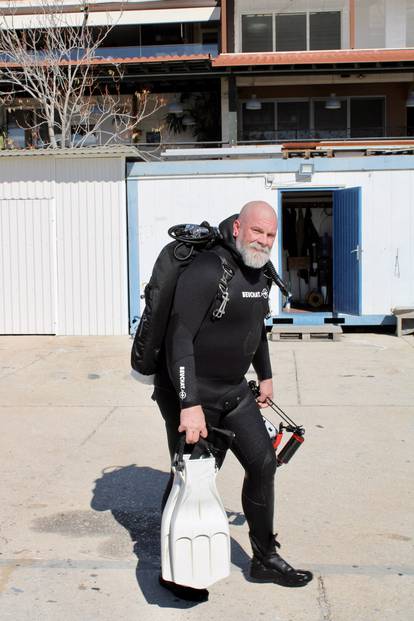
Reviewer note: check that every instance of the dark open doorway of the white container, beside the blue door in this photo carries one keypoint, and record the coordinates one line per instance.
(306, 240)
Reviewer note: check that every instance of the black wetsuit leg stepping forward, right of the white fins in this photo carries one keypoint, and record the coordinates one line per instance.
(253, 448)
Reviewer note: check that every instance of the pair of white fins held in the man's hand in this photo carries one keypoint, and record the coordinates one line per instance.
(195, 537)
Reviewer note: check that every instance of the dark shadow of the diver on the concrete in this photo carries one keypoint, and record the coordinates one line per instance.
(133, 495)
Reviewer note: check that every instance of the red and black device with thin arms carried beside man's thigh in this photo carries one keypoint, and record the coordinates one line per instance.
(276, 435)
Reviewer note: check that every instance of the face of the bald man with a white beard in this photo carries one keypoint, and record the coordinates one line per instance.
(255, 236)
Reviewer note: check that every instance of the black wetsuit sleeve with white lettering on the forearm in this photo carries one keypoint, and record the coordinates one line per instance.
(196, 289)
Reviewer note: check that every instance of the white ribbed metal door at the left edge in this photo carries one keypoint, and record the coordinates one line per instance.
(27, 266)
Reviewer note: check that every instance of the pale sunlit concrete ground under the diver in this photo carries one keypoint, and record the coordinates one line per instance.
(84, 460)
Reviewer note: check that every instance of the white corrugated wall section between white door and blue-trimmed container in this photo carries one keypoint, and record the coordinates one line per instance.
(92, 285)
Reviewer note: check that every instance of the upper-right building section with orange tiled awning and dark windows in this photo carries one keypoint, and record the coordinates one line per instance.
(316, 70)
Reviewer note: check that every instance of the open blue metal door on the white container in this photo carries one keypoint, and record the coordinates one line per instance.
(347, 251)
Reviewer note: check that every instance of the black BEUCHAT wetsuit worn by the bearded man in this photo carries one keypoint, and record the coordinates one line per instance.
(205, 363)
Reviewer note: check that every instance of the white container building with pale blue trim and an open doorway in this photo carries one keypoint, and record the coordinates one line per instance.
(361, 208)
